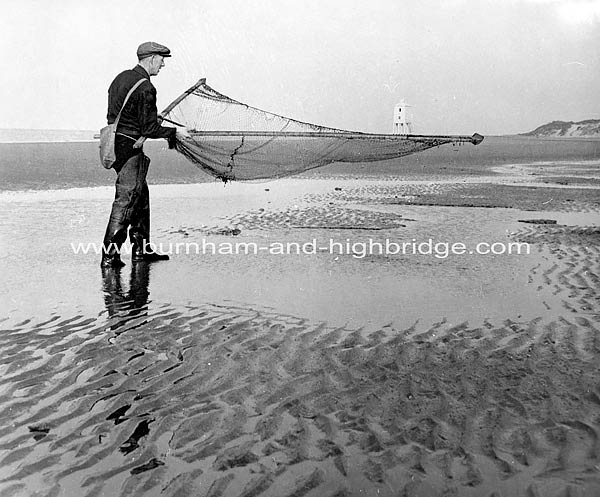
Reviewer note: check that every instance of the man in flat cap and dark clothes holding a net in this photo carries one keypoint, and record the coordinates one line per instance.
(139, 119)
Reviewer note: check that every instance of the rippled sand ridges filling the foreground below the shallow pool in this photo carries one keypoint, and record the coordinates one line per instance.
(229, 401)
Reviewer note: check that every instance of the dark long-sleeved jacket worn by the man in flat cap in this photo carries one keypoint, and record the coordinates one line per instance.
(139, 117)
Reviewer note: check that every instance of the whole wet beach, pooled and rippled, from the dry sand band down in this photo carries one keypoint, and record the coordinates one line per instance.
(321, 374)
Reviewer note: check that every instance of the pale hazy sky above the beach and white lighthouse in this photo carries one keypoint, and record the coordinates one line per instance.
(464, 66)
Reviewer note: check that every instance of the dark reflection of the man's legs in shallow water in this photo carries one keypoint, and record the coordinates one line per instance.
(126, 304)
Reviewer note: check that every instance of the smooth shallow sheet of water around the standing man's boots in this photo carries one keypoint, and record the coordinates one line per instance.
(340, 283)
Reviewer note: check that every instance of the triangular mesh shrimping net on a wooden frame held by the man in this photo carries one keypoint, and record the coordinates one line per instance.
(233, 141)
